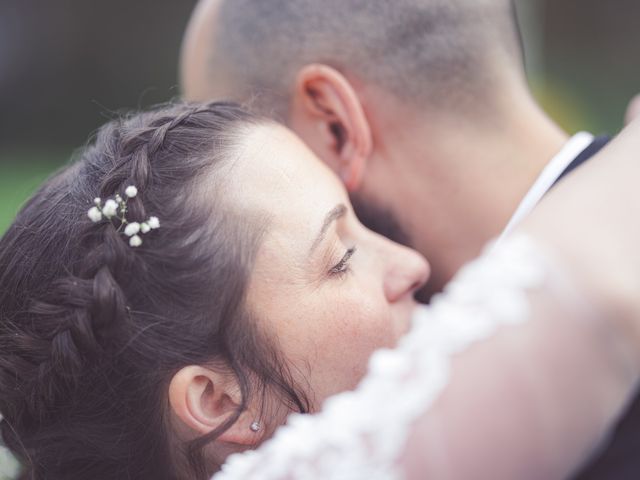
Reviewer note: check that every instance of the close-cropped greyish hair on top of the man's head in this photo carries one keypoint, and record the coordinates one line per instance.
(444, 53)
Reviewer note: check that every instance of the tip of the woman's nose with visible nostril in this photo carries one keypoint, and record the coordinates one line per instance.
(407, 271)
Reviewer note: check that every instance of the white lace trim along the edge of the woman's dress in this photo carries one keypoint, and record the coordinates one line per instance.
(363, 434)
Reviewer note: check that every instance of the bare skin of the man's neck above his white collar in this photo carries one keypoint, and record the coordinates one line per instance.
(476, 176)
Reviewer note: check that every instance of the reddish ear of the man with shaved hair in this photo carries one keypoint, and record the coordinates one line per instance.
(328, 115)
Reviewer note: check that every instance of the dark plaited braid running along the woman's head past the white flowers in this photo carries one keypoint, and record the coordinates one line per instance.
(93, 302)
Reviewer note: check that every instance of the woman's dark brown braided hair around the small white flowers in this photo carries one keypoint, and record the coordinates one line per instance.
(92, 330)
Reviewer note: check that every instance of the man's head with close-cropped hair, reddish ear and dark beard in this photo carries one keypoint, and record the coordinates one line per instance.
(399, 97)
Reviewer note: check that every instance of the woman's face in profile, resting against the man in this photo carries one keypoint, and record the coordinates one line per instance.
(326, 288)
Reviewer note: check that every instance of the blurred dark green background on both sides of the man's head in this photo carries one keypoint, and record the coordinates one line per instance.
(67, 66)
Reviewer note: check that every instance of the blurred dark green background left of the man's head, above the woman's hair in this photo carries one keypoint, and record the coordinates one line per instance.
(68, 66)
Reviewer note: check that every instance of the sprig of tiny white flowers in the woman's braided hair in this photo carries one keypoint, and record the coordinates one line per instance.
(117, 208)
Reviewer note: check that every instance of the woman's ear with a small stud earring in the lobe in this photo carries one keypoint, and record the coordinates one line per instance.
(204, 400)
